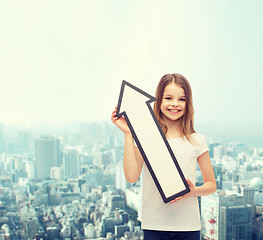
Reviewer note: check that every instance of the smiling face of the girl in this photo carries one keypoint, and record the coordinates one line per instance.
(173, 103)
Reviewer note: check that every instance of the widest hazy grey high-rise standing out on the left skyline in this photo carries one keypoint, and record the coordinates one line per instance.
(47, 154)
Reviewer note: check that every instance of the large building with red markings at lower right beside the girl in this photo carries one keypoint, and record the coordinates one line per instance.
(225, 216)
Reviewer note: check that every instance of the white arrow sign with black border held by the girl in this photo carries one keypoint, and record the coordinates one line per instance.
(135, 105)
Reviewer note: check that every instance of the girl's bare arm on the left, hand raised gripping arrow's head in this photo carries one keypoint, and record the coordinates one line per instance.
(132, 159)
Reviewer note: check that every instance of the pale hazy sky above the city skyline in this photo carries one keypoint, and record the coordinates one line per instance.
(64, 61)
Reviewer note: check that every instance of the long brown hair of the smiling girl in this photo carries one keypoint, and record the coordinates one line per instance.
(187, 120)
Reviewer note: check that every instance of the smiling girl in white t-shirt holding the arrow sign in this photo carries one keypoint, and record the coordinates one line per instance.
(179, 219)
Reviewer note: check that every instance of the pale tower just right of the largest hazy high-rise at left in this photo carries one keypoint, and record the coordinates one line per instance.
(71, 164)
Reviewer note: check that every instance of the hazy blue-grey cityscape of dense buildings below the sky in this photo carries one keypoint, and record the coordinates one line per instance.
(68, 183)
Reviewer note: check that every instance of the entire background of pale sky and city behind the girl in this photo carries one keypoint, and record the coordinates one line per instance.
(61, 67)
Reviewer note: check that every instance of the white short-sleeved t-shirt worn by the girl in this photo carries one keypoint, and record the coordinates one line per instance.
(182, 215)
